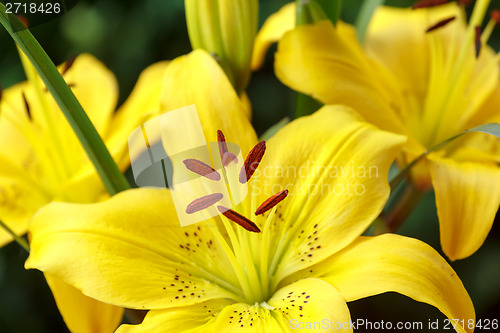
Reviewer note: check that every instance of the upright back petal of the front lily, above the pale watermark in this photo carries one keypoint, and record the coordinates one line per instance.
(197, 79)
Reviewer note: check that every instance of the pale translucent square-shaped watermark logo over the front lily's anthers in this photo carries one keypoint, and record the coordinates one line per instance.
(175, 154)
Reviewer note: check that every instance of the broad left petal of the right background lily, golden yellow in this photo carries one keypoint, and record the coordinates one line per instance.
(328, 64)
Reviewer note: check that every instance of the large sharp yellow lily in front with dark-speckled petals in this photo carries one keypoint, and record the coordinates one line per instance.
(302, 262)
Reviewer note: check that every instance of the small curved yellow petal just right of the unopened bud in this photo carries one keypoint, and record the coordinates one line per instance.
(273, 29)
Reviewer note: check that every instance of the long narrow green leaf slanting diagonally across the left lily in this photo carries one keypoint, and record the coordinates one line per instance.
(113, 179)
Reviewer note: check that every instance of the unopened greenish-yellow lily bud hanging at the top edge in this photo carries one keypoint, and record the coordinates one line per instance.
(226, 29)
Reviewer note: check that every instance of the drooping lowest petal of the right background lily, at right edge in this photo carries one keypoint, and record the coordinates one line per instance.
(467, 199)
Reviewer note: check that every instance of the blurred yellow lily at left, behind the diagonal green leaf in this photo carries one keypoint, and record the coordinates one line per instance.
(41, 160)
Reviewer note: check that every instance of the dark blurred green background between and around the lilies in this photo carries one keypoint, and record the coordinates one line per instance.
(130, 35)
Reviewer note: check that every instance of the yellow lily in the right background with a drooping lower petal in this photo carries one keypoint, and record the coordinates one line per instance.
(428, 86)
